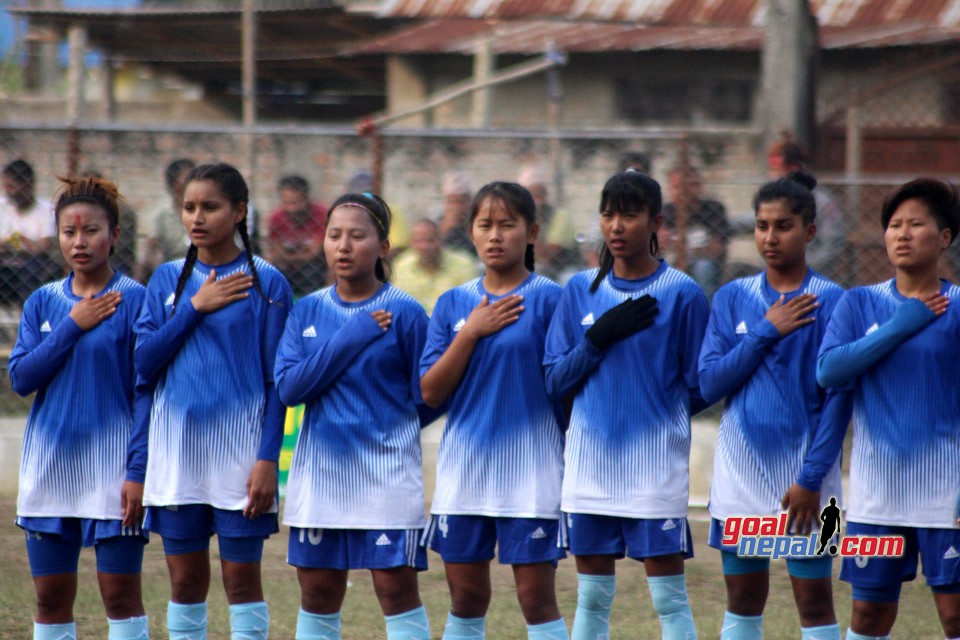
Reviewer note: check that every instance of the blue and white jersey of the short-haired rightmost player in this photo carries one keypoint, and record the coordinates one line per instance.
(906, 415)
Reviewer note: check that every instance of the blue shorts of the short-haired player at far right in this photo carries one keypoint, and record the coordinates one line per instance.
(938, 548)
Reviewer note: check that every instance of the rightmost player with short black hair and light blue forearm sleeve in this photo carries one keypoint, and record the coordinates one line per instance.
(896, 343)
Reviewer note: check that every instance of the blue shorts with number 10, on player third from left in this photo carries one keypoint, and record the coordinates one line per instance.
(345, 549)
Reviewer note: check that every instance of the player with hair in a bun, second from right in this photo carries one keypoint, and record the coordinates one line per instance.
(780, 433)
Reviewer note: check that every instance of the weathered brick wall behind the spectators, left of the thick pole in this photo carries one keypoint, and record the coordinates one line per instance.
(414, 161)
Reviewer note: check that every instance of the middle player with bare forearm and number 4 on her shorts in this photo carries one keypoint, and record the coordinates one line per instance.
(501, 454)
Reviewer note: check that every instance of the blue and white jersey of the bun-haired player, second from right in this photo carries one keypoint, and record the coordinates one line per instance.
(774, 405)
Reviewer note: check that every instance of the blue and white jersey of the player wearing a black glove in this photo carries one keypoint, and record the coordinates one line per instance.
(628, 450)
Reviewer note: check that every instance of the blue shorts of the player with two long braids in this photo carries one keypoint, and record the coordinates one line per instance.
(187, 529)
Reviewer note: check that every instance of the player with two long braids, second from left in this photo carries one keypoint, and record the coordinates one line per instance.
(217, 422)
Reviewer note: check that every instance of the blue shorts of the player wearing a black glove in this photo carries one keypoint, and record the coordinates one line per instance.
(586, 534)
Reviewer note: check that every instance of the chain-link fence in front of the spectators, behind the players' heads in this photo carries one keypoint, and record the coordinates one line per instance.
(428, 177)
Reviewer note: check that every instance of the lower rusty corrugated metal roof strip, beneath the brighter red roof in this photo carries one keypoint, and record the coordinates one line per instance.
(534, 36)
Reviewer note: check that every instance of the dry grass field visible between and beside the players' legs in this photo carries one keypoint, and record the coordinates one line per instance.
(633, 616)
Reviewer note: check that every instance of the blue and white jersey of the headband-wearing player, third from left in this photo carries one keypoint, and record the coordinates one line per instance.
(357, 463)
